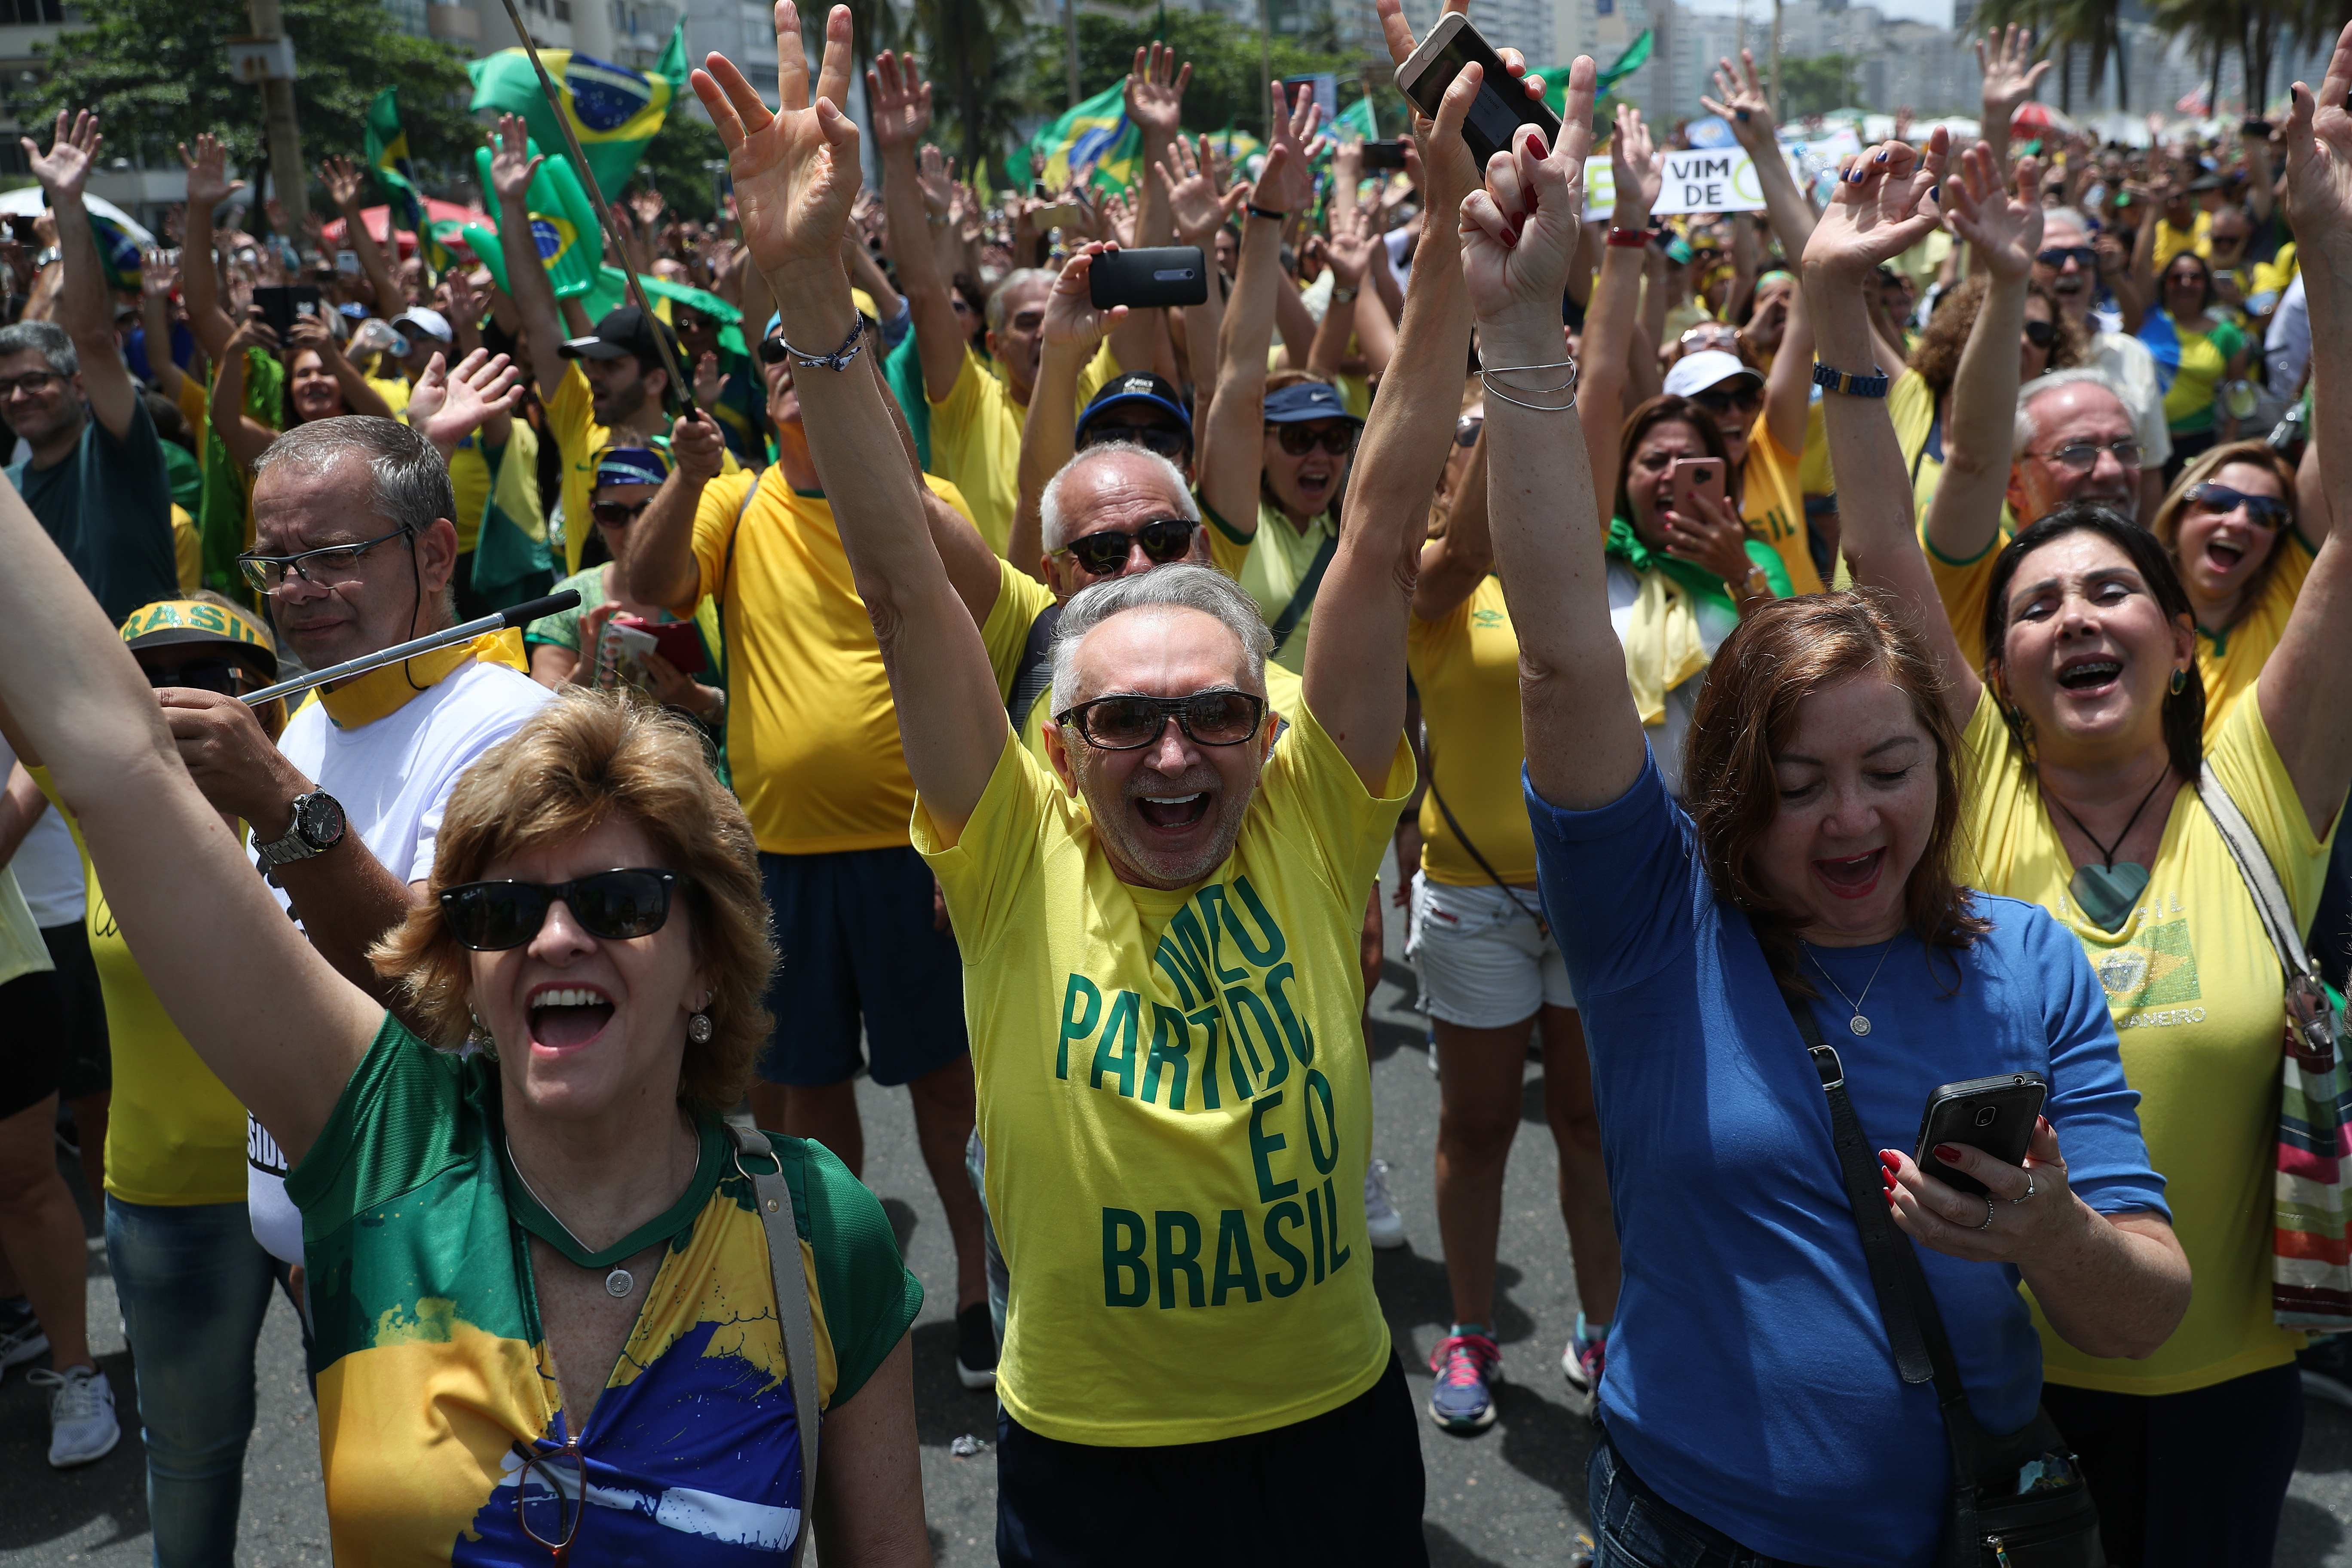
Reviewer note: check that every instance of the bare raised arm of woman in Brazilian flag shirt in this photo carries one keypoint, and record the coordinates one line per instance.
(81, 704)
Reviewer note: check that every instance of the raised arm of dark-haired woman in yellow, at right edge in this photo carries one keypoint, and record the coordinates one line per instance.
(2308, 681)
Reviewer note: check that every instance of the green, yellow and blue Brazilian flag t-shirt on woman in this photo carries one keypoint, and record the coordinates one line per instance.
(434, 1367)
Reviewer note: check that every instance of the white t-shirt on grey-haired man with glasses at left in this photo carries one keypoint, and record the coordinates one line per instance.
(394, 782)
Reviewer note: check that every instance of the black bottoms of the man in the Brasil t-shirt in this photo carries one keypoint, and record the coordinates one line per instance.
(1342, 1487)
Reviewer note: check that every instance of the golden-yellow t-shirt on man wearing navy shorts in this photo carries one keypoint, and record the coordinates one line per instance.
(813, 735)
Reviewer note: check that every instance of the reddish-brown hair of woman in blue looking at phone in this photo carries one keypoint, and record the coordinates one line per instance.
(1777, 657)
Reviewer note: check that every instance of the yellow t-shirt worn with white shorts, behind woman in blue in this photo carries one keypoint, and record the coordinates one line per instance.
(1466, 666)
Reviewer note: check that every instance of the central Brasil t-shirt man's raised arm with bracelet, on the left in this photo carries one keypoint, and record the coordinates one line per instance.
(796, 175)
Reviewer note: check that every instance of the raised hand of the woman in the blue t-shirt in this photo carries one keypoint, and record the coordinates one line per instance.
(1521, 232)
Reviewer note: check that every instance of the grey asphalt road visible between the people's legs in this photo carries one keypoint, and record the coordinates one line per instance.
(1511, 1496)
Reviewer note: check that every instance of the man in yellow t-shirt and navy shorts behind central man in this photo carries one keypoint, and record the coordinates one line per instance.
(813, 749)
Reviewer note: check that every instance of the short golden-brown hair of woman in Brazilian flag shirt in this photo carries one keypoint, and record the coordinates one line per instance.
(577, 763)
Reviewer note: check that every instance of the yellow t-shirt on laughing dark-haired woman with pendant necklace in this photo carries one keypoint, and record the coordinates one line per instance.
(2198, 1005)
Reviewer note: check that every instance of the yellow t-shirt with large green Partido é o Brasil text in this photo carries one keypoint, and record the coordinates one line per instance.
(1175, 1101)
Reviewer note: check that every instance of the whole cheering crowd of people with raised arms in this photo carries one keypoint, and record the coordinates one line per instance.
(1904, 617)
